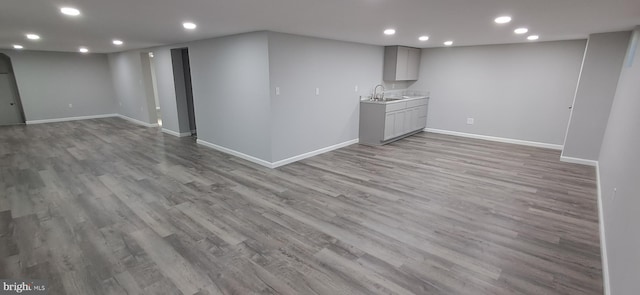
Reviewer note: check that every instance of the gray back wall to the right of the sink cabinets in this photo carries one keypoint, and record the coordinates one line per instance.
(515, 91)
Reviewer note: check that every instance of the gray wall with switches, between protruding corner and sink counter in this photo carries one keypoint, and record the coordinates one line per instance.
(303, 122)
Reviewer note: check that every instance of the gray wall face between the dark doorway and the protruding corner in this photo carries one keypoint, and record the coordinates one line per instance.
(230, 78)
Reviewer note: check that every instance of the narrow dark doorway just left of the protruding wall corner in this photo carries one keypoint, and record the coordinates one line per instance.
(184, 91)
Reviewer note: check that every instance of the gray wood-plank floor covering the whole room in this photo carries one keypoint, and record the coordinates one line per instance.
(107, 207)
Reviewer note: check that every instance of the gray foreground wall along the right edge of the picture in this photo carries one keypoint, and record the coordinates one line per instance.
(620, 169)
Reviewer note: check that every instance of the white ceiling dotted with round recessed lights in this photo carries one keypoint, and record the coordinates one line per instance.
(147, 23)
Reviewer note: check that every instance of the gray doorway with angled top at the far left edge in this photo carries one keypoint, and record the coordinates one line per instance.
(11, 112)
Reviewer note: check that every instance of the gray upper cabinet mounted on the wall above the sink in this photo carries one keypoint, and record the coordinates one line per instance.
(401, 63)
